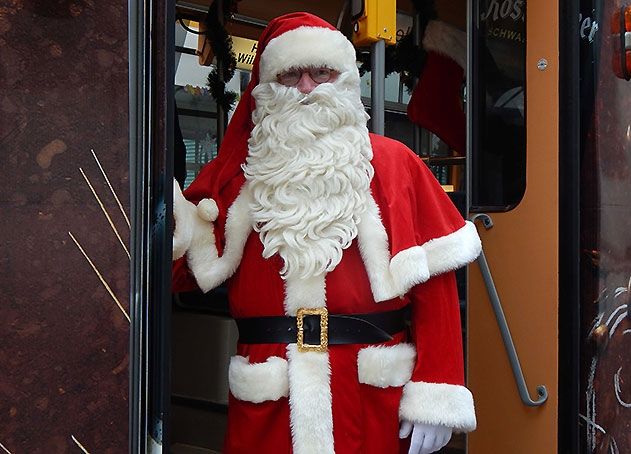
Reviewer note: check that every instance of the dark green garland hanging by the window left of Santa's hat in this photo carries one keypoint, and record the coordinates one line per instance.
(221, 44)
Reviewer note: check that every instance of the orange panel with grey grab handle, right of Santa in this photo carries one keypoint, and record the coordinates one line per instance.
(522, 251)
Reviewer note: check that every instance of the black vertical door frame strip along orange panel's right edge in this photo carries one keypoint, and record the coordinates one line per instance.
(569, 227)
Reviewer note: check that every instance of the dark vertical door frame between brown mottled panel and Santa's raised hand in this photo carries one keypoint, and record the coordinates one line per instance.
(151, 110)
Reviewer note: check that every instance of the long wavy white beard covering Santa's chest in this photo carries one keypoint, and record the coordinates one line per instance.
(309, 172)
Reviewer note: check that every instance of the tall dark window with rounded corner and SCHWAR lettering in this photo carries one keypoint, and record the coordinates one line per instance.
(498, 157)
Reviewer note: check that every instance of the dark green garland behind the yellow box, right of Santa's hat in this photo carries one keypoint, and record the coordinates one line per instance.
(405, 57)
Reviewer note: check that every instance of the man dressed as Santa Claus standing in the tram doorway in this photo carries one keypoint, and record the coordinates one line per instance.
(327, 237)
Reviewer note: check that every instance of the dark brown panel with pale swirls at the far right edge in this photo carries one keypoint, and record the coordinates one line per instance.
(605, 240)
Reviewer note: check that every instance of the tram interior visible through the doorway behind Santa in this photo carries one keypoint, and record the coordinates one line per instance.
(203, 334)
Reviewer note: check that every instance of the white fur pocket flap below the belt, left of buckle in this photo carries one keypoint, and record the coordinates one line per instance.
(258, 382)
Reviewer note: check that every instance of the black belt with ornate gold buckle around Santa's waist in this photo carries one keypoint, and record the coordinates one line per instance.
(315, 329)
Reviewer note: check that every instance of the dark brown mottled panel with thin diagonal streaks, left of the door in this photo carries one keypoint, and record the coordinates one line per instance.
(64, 266)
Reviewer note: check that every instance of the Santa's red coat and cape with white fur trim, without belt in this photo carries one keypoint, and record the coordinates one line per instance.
(348, 400)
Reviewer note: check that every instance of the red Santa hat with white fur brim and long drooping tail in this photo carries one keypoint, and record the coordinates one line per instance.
(295, 40)
